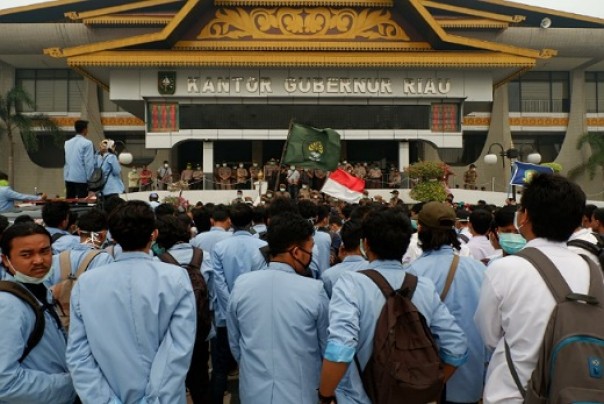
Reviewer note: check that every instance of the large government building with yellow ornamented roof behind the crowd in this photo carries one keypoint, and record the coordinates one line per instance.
(213, 82)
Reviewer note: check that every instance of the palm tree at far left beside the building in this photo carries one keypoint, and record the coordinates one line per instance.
(13, 121)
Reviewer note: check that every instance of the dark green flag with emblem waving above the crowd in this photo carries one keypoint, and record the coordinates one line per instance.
(309, 147)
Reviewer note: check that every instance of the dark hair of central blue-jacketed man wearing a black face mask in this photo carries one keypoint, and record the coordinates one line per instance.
(287, 230)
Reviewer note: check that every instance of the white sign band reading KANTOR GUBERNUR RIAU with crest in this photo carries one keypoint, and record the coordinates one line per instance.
(311, 83)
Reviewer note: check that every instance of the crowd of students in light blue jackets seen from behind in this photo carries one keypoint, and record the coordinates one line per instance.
(290, 306)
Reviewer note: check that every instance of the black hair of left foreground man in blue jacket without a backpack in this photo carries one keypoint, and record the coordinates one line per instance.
(132, 225)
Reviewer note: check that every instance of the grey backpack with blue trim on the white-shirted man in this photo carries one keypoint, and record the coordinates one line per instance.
(570, 367)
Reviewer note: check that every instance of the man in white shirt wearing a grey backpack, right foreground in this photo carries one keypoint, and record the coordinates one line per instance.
(514, 300)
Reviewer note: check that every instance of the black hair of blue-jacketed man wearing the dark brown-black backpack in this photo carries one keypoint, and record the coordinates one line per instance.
(388, 233)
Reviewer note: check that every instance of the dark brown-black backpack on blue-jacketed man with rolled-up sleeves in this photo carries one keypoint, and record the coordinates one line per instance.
(405, 365)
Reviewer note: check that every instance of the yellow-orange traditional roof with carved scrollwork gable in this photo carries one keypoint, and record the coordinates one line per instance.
(299, 33)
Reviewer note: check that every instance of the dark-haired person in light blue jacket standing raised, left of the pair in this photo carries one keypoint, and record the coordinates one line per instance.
(79, 162)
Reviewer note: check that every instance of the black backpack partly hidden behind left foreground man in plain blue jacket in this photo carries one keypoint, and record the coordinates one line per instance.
(200, 289)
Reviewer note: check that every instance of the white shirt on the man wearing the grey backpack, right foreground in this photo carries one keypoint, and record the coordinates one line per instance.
(515, 302)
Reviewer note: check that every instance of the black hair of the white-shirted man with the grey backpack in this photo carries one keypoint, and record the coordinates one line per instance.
(554, 206)
